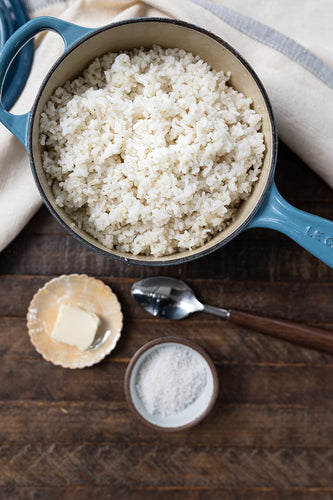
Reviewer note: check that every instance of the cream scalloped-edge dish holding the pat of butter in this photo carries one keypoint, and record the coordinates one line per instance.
(84, 292)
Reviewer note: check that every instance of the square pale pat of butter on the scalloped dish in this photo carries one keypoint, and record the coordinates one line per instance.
(75, 326)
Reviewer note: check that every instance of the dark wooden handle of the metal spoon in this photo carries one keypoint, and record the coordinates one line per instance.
(306, 336)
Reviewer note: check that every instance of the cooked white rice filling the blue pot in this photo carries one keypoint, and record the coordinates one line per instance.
(151, 151)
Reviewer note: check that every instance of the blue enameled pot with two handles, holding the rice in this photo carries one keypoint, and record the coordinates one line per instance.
(265, 206)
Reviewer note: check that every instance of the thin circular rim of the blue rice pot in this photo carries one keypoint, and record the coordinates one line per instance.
(168, 259)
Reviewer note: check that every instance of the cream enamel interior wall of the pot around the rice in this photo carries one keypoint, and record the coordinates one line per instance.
(141, 33)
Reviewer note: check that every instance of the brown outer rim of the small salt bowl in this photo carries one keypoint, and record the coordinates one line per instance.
(159, 342)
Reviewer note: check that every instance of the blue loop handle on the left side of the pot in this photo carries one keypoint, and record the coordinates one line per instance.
(70, 33)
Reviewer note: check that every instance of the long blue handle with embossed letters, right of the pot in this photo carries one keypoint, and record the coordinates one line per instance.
(311, 232)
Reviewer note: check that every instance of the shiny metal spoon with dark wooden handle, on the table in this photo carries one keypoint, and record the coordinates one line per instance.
(173, 299)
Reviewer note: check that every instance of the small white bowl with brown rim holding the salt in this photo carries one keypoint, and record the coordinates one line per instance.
(193, 413)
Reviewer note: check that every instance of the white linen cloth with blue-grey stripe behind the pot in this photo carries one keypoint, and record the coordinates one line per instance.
(289, 45)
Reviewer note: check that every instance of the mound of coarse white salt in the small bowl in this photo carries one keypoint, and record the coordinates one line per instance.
(170, 379)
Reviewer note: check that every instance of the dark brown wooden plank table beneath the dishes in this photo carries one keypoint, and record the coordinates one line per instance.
(70, 435)
